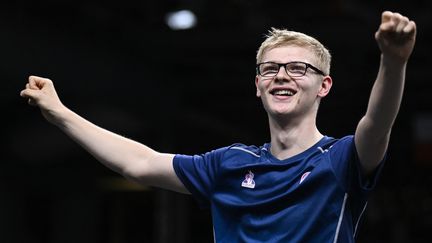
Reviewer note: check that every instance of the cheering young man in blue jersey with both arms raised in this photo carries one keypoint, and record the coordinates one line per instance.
(302, 186)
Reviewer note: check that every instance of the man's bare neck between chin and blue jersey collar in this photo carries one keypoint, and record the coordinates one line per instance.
(290, 137)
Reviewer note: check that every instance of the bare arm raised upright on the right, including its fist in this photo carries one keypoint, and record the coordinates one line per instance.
(396, 38)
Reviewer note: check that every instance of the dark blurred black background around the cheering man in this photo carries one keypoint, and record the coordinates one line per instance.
(118, 64)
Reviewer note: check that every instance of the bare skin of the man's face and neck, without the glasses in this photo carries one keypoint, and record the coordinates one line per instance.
(292, 119)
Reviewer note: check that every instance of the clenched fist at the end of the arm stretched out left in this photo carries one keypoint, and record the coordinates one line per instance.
(41, 92)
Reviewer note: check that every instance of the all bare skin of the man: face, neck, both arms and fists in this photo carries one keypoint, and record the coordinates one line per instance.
(291, 120)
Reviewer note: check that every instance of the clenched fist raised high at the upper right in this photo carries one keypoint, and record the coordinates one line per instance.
(396, 36)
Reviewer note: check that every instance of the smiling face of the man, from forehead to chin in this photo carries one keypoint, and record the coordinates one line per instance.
(285, 96)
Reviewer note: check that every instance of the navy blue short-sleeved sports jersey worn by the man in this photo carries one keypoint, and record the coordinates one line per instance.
(318, 195)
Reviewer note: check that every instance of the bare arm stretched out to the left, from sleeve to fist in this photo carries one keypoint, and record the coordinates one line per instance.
(131, 159)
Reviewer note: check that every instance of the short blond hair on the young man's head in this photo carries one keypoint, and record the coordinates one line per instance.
(282, 37)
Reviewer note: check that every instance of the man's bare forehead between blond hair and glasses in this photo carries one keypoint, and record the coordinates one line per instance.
(283, 54)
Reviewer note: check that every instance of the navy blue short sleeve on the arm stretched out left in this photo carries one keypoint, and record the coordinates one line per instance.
(197, 173)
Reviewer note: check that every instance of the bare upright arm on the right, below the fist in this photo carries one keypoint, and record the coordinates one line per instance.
(373, 130)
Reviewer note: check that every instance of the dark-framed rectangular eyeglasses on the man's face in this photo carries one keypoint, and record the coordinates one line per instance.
(293, 69)
